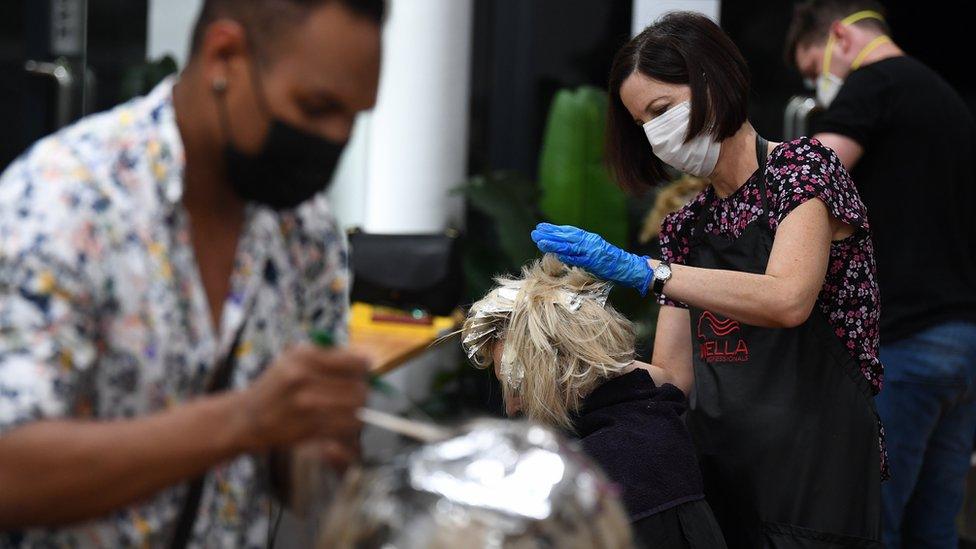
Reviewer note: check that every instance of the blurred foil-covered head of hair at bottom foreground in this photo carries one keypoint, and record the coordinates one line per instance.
(497, 484)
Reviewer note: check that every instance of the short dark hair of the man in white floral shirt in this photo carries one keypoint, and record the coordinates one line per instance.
(263, 19)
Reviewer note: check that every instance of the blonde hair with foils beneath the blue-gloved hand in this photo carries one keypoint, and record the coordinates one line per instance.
(561, 340)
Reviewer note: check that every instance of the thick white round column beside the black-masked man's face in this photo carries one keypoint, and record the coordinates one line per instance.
(418, 133)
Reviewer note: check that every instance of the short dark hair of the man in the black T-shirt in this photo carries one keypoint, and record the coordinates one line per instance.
(812, 19)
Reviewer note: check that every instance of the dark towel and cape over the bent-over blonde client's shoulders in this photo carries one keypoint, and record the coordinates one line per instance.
(633, 430)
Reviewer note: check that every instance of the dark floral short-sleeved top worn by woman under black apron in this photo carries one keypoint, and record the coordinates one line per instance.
(796, 172)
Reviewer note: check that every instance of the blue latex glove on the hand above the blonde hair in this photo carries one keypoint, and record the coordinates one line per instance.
(590, 251)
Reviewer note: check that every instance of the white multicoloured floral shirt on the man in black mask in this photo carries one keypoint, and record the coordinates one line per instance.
(103, 314)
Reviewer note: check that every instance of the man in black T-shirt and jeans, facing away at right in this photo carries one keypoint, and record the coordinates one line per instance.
(908, 140)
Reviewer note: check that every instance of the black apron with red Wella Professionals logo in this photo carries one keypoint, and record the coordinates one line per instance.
(782, 418)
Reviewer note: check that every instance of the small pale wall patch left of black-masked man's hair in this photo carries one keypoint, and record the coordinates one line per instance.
(170, 25)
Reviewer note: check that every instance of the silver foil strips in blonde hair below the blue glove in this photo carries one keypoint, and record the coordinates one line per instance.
(489, 316)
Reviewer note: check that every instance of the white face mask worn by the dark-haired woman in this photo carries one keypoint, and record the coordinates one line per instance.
(667, 132)
